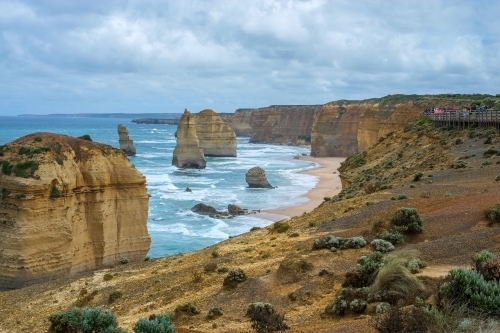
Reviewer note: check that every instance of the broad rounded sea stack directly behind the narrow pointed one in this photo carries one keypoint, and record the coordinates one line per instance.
(214, 135)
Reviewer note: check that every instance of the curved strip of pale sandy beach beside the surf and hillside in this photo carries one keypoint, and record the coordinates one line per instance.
(328, 185)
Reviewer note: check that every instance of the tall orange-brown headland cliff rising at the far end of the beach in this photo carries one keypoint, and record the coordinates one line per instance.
(343, 128)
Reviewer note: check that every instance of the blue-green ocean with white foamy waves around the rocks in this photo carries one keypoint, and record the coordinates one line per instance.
(171, 224)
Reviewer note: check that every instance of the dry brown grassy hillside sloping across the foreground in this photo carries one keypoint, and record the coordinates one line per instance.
(282, 267)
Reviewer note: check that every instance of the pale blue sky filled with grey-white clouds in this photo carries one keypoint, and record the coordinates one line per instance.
(76, 56)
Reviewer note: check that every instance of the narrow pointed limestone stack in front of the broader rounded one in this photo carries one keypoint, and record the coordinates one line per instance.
(188, 152)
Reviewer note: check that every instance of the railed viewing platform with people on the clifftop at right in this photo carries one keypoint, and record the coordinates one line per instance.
(464, 119)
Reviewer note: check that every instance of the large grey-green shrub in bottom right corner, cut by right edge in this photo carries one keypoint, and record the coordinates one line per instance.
(473, 290)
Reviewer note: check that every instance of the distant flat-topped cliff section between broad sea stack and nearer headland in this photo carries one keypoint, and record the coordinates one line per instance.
(283, 124)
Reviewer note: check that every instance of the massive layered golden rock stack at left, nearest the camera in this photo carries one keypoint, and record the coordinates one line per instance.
(67, 205)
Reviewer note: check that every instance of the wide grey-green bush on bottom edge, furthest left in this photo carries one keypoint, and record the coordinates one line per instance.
(86, 320)
